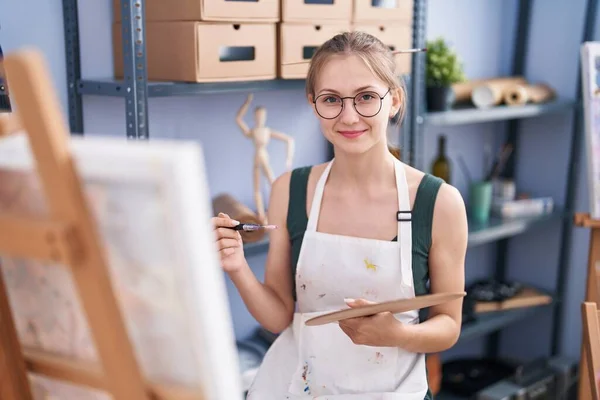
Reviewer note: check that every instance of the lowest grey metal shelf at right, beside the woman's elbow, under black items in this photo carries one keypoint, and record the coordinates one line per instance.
(493, 321)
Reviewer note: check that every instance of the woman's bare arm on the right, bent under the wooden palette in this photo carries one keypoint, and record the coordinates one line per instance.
(447, 274)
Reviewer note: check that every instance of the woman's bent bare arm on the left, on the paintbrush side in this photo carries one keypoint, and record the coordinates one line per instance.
(271, 303)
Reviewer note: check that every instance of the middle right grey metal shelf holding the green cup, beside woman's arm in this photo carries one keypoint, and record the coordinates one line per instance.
(498, 228)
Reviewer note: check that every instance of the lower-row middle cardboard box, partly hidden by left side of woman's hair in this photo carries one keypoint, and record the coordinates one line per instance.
(297, 42)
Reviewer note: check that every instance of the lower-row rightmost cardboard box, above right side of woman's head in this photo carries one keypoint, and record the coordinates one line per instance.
(396, 36)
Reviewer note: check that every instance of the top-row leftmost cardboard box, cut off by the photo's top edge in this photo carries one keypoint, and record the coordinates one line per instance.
(207, 10)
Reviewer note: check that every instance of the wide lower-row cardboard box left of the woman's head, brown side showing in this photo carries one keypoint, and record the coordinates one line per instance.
(205, 51)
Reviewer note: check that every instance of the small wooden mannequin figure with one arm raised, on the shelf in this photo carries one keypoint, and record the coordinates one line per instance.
(261, 135)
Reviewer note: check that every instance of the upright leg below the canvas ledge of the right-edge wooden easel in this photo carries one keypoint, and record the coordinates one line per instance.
(591, 294)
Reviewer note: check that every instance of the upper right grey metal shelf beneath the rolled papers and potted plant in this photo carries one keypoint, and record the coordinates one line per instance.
(470, 114)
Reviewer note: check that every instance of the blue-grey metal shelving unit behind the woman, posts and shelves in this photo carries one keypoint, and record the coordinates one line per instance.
(136, 90)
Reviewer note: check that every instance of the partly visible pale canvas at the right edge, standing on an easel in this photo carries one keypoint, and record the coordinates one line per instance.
(590, 65)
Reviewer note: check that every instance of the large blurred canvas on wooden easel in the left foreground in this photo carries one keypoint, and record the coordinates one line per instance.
(120, 269)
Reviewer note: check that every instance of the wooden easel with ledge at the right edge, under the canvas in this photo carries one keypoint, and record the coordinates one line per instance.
(592, 295)
